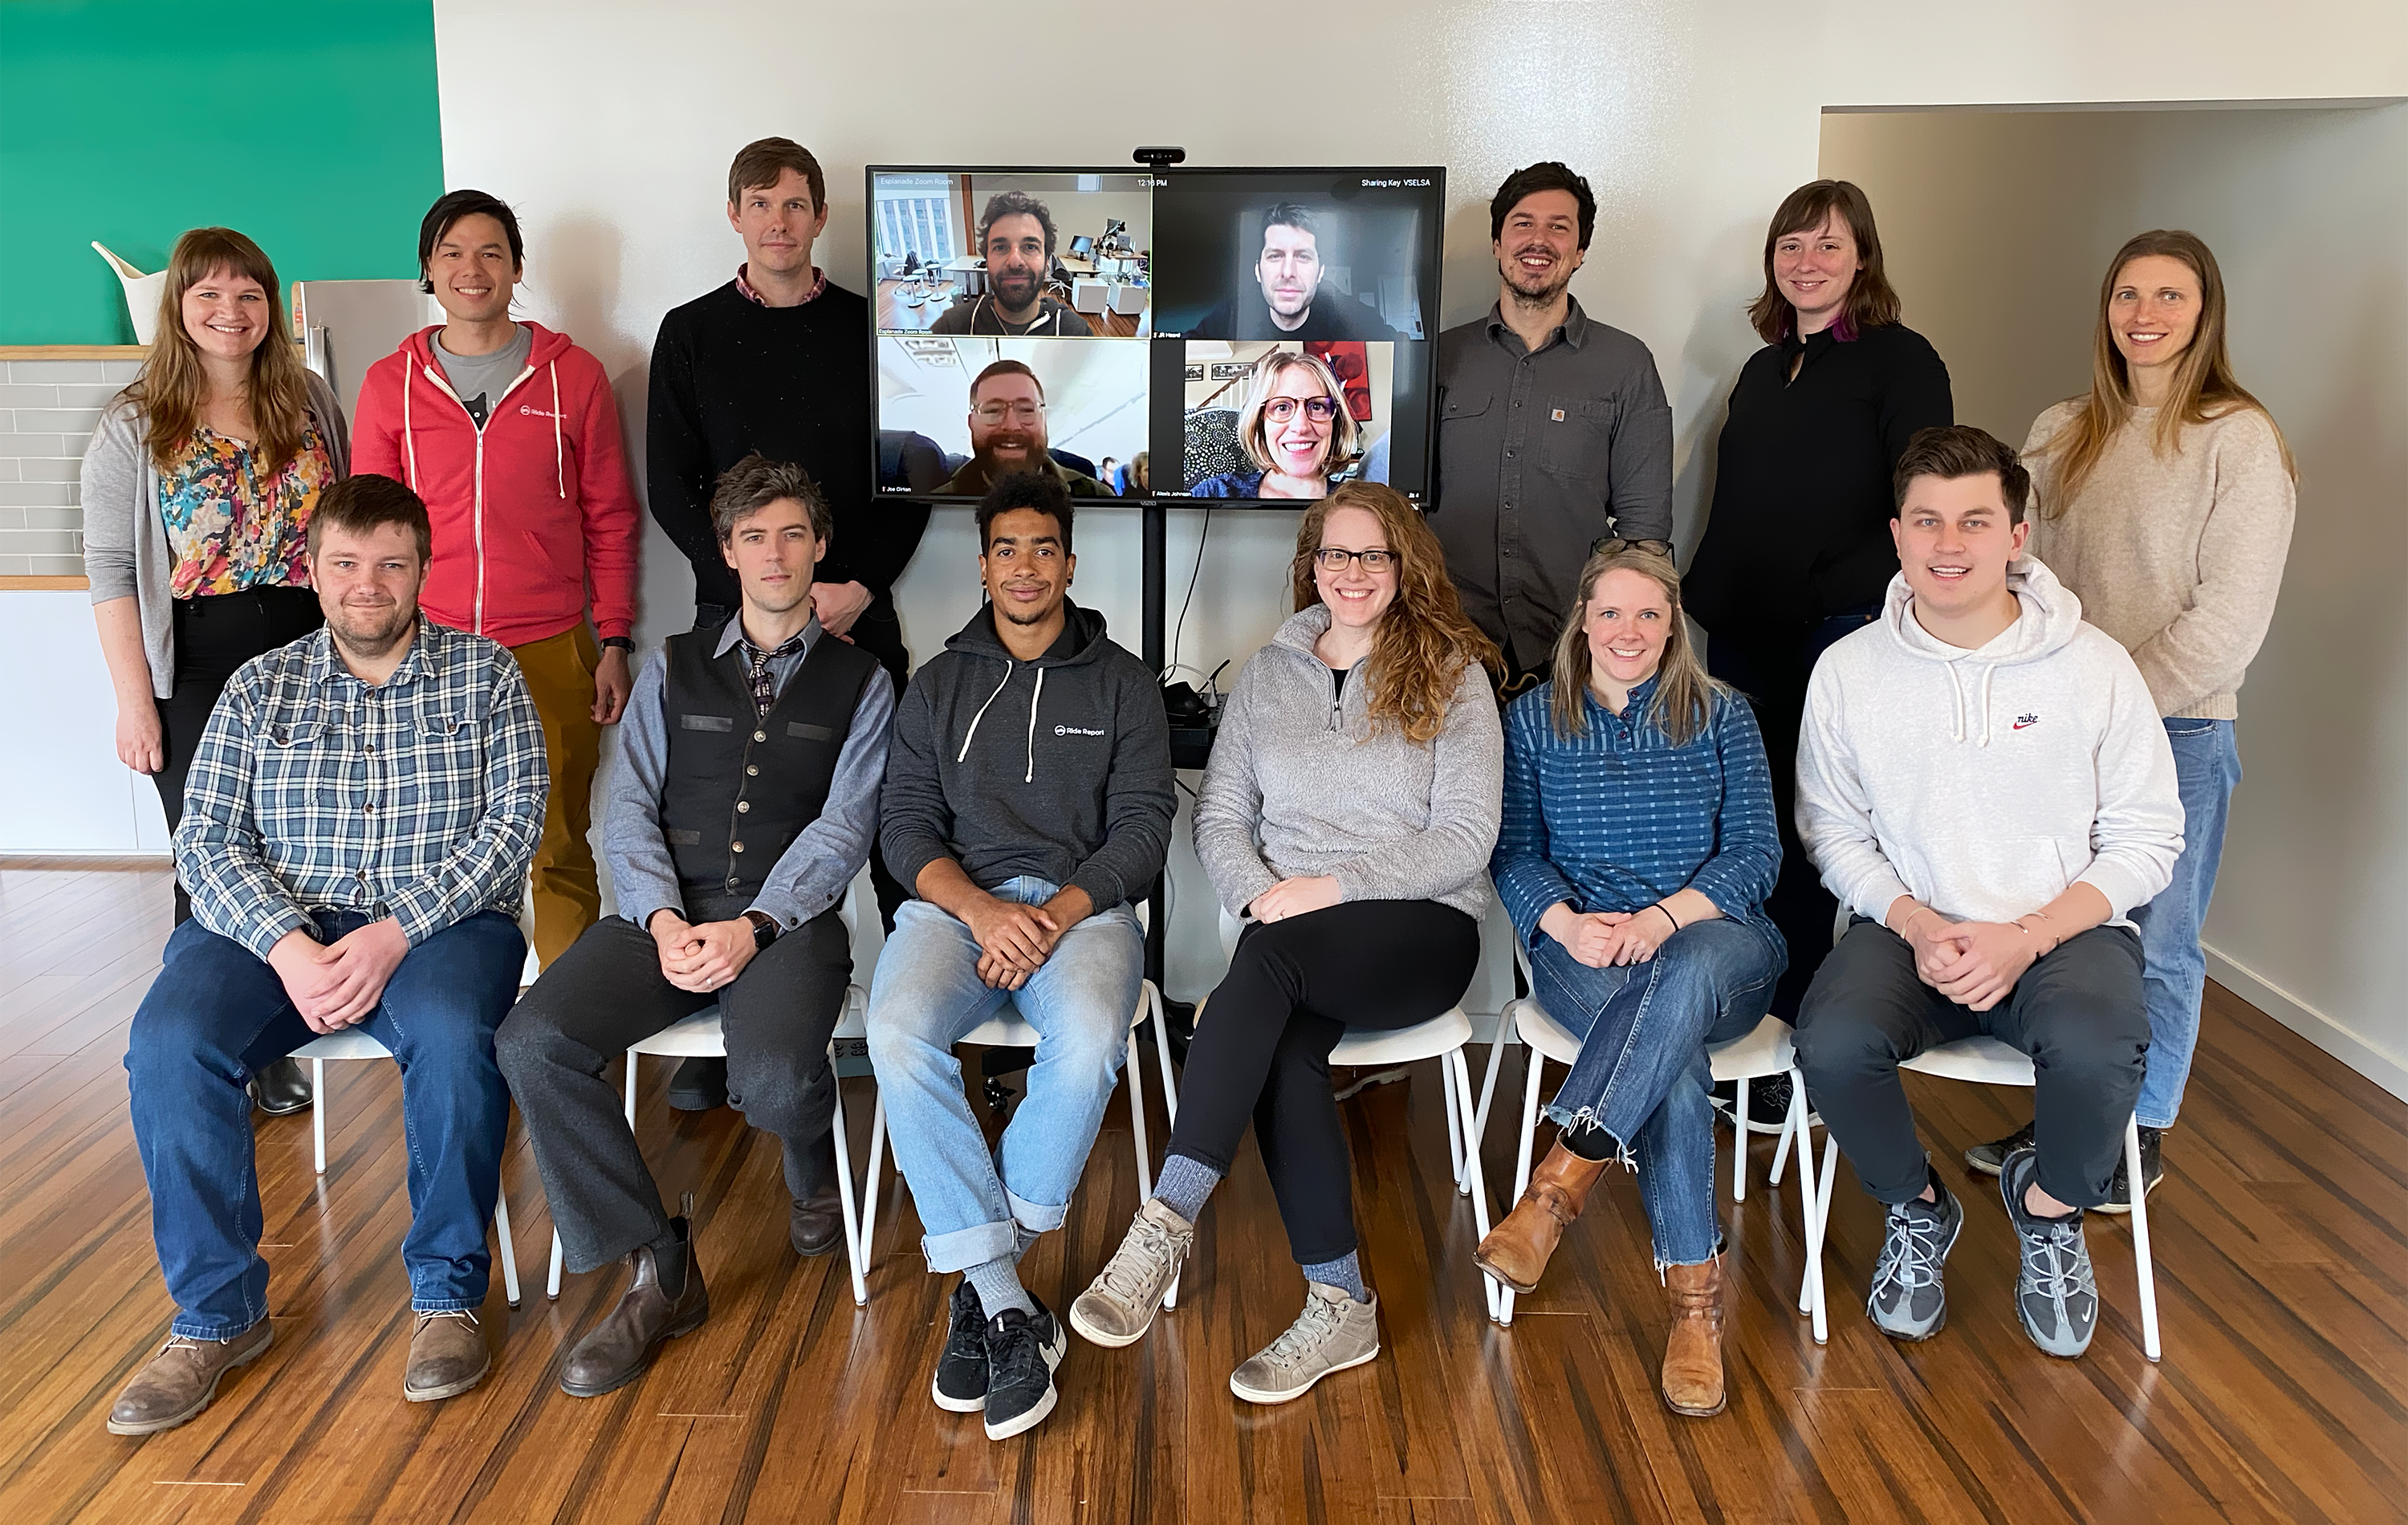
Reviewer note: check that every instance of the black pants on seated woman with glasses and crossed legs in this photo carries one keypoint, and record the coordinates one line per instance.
(1263, 1047)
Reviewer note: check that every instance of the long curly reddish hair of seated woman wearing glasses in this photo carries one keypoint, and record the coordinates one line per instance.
(1424, 642)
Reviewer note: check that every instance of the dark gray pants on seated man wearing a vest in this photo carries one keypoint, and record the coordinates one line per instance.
(606, 994)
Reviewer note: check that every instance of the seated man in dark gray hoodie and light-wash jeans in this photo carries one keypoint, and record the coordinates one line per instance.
(1027, 803)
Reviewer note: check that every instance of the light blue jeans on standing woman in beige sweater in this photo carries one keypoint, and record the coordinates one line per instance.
(2176, 975)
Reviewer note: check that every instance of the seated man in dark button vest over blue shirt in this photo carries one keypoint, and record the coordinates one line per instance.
(745, 803)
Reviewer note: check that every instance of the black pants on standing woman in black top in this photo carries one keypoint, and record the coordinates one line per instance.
(1773, 676)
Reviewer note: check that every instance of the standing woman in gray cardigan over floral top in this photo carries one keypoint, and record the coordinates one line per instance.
(199, 488)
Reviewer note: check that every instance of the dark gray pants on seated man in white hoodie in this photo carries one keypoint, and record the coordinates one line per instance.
(2079, 1013)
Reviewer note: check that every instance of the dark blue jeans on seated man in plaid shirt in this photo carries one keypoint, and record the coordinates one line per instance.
(218, 1013)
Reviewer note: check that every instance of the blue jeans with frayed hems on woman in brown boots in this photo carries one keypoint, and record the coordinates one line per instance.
(1643, 1076)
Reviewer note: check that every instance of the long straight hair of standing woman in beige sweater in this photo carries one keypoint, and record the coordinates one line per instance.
(2205, 384)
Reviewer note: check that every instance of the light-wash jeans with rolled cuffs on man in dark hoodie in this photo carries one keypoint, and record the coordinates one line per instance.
(926, 996)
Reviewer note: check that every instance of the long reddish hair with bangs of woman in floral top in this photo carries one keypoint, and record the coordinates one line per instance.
(175, 387)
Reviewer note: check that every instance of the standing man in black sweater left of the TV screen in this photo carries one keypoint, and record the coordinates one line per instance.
(774, 365)
